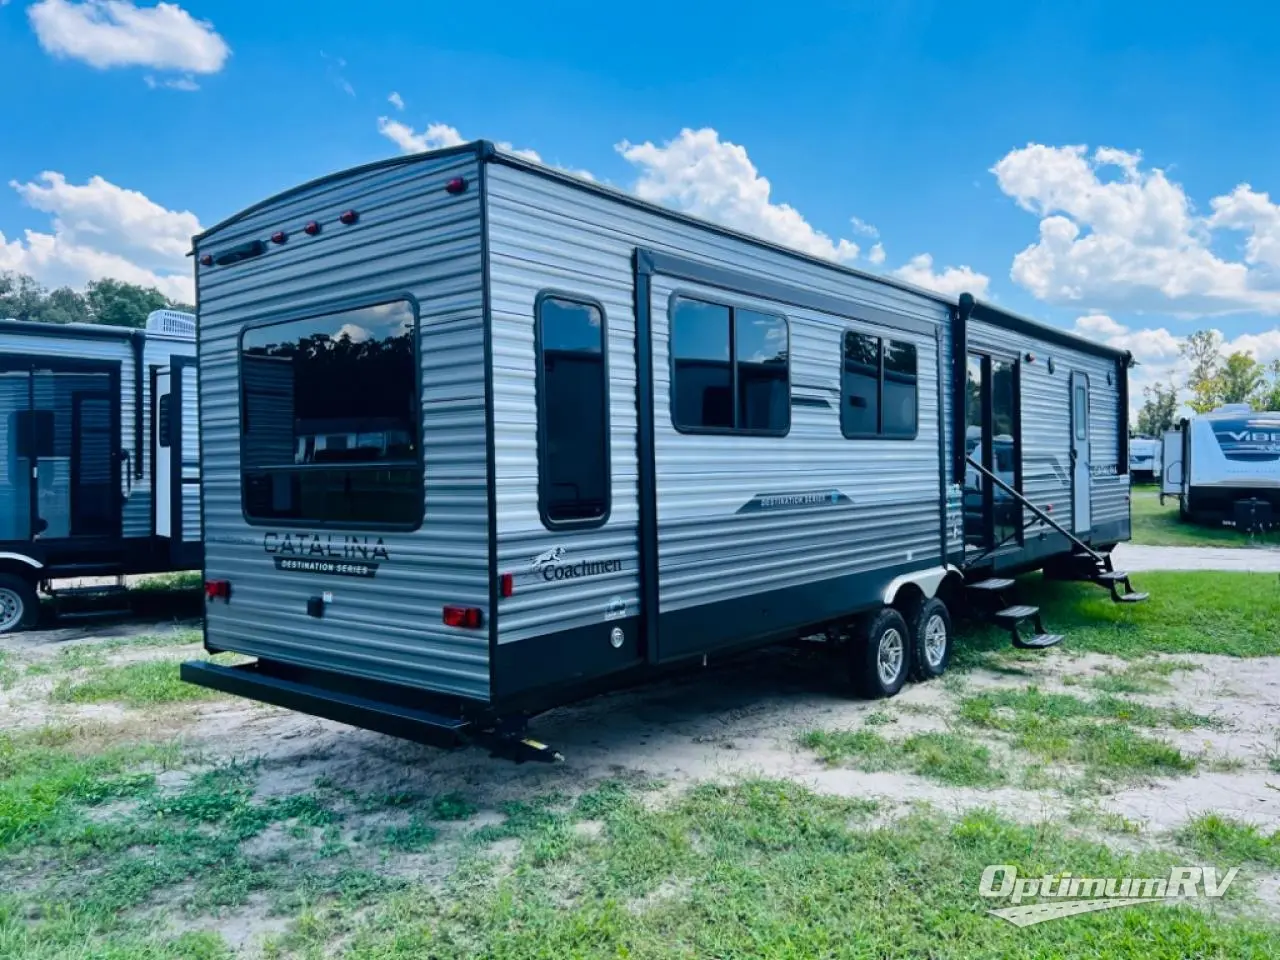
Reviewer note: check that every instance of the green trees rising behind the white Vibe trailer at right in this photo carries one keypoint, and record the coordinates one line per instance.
(1215, 380)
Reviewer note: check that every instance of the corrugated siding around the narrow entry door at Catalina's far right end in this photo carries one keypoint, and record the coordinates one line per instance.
(1046, 424)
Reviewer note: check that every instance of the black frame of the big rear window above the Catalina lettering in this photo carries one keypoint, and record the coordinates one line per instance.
(327, 309)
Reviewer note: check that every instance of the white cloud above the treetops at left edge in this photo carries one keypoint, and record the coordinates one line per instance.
(100, 230)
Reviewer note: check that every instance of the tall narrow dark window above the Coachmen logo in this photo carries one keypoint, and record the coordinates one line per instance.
(573, 413)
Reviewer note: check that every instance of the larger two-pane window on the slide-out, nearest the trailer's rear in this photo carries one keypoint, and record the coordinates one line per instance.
(729, 369)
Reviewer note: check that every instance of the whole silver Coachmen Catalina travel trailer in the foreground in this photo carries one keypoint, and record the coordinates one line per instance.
(483, 437)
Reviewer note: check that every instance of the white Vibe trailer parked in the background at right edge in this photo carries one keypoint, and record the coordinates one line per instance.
(1226, 468)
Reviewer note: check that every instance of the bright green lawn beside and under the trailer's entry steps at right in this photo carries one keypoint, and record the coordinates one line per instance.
(1188, 612)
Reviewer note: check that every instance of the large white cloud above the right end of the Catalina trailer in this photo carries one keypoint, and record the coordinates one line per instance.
(1116, 235)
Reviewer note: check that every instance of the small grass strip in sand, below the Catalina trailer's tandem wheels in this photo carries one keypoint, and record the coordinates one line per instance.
(947, 758)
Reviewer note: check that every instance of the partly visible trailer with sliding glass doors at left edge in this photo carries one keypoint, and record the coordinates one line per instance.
(100, 458)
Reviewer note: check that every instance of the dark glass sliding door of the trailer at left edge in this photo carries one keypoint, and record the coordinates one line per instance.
(62, 440)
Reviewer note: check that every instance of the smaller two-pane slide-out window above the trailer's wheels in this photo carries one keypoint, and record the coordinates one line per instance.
(880, 388)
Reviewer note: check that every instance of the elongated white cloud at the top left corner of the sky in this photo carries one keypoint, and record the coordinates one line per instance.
(118, 34)
